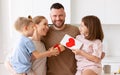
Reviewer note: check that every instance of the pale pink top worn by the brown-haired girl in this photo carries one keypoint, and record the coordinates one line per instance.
(91, 47)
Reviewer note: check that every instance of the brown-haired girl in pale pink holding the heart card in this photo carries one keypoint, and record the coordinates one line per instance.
(88, 57)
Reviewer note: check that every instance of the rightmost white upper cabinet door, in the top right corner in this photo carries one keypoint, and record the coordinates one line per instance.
(112, 11)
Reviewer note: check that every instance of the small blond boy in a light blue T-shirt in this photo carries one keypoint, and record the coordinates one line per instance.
(20, 60)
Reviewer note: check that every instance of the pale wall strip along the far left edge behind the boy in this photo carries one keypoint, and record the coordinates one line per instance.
(5, 29)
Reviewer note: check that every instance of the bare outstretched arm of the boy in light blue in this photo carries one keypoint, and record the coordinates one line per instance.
(50, 52)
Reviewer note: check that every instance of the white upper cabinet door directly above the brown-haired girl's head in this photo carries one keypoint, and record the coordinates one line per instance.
(81, 8)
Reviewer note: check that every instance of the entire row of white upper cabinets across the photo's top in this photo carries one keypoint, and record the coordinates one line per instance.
(107, 10)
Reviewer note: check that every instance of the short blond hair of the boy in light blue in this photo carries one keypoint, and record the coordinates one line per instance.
(21, 22)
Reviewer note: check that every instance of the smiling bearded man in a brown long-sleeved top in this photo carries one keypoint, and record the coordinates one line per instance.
(64, 63)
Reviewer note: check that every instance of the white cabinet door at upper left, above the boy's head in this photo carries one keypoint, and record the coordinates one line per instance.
(20, 8)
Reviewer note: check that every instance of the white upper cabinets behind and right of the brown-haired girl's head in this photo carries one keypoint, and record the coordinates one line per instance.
(107, 10)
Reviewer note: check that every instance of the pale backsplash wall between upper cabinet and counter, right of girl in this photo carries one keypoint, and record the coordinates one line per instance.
(112, 39)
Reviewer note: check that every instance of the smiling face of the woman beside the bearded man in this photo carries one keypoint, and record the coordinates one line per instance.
(42, 27)
